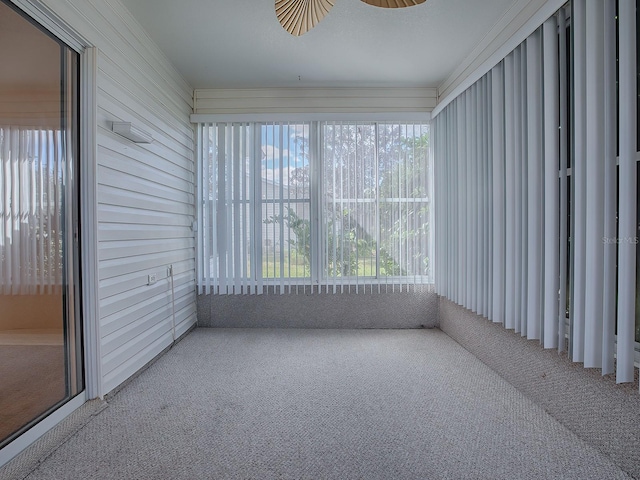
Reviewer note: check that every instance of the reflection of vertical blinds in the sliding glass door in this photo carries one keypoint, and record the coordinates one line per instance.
(31, 183)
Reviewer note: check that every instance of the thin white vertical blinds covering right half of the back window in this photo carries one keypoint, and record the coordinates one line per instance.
(375, 204)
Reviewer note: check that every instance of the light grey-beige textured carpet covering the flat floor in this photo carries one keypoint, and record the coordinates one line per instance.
(316, 404)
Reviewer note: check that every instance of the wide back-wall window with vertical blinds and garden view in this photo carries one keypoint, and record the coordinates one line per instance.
(313, 204)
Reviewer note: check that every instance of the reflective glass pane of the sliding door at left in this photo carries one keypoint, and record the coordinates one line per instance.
(40, 339)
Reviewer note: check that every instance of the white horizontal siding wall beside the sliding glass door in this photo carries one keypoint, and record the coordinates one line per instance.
(144, 193)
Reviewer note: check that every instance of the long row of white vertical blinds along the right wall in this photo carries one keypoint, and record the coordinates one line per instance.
(530, 188)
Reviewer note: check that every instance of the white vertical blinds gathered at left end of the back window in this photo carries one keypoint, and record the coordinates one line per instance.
(227, 182)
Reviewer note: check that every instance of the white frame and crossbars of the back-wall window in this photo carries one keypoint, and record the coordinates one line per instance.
(318, 259)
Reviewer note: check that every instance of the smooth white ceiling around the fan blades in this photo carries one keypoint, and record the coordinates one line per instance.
(240, 44)
